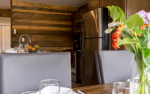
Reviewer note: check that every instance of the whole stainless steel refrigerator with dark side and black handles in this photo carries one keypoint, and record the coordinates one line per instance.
(93, 39)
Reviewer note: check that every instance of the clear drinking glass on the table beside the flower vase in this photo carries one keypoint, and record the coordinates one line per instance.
(123, 88)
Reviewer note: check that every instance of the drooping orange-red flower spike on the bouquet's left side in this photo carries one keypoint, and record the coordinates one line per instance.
(116, 35)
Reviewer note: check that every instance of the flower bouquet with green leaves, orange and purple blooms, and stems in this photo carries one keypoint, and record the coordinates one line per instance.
(134, 33)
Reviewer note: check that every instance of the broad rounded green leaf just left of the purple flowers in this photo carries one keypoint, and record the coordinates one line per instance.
(134, 21)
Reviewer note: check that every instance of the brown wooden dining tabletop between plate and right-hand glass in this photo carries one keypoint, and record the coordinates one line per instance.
(96, 89)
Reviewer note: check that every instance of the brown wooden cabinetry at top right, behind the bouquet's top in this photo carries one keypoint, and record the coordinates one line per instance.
(128, 6)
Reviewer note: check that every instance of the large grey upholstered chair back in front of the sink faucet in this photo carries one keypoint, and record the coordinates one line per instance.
(23, 72)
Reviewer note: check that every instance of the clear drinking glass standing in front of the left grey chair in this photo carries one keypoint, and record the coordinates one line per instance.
(49, 86)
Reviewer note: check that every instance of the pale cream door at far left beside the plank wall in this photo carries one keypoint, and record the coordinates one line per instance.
(6, 37)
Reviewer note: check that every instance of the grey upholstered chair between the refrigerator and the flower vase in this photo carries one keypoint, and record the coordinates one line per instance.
(113, 66)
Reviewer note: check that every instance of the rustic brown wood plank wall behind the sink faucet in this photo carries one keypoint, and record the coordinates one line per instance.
(47, 25)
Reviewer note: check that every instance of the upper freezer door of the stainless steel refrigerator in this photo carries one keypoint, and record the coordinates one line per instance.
(93, 23)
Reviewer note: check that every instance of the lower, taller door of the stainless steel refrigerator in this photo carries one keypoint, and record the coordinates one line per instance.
(89, 74)
